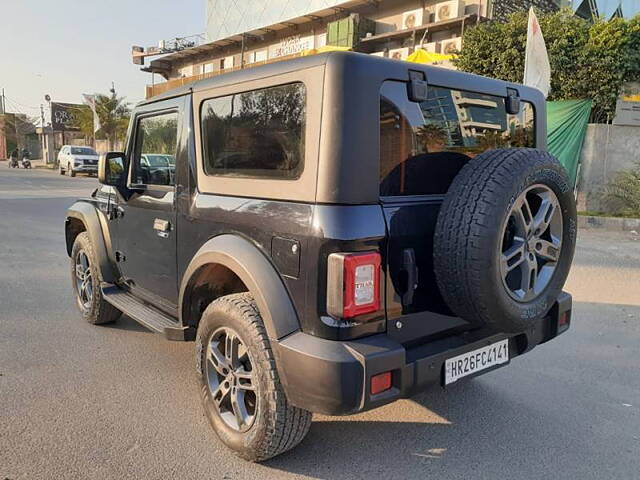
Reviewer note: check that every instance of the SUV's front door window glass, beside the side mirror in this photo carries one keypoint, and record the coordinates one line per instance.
(155, 157)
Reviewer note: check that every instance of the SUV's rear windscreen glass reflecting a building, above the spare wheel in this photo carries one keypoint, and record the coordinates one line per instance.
(423, 146)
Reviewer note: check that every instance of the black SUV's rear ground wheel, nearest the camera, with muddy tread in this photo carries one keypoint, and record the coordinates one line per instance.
(239, 384)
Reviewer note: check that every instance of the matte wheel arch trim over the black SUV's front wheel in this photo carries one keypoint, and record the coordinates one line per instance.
(82, 217)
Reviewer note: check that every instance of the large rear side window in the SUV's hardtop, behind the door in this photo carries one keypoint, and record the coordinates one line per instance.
(256, 134)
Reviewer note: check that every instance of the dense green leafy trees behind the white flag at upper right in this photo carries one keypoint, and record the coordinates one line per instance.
(588, 60)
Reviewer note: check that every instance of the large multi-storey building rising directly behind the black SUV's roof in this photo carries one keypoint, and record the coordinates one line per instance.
(242, 33)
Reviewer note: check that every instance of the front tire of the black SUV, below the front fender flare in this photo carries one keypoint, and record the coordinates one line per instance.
(100, 312)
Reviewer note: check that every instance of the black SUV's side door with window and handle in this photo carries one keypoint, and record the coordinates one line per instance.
(146, 216)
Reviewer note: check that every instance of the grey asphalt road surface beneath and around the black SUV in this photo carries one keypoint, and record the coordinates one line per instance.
(79, 401)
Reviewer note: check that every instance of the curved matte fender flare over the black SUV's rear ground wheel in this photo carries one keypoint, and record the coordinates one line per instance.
(259, 276)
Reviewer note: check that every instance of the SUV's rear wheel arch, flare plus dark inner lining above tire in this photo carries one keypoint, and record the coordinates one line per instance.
(238, 260)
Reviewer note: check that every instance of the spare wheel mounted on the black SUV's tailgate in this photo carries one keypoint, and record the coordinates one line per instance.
(505, 238)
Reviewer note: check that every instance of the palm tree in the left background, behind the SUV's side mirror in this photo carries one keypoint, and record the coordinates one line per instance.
(113, 112)
